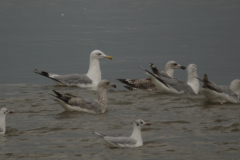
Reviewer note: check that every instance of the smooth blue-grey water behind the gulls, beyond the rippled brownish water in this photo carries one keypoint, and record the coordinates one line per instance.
(58, 36)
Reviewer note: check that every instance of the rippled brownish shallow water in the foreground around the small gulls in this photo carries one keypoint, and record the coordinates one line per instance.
(183, 126)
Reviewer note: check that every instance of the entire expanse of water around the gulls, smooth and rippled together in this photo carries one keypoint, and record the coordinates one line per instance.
(57, 36)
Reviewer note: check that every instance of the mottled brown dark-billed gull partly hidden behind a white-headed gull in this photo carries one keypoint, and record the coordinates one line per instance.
(147, 83)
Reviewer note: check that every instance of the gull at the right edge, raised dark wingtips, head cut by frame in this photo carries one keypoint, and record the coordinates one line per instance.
(221, 94)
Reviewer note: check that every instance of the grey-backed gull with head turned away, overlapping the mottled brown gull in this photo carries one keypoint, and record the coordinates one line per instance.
(173, 85)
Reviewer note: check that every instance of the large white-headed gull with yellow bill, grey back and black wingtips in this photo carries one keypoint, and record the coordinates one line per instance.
(91, 79)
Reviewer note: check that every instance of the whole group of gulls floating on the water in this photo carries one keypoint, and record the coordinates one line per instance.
(163, 82)
